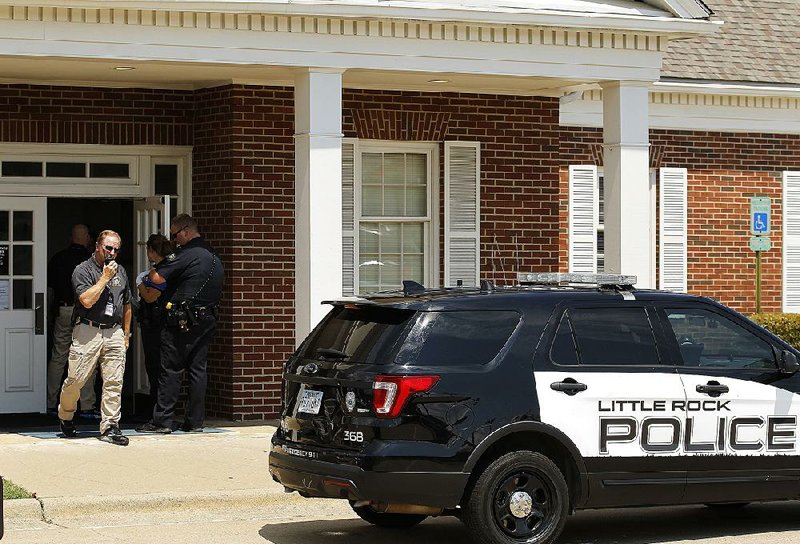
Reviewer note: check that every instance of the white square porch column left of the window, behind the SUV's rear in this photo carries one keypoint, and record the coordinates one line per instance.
(318, 195)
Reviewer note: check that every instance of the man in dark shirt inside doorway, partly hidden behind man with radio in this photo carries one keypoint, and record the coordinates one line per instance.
(59, 279)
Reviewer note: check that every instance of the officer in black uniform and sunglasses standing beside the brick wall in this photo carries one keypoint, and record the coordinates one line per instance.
(194, 278)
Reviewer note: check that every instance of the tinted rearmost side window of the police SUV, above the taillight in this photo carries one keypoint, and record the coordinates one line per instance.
(457, 337)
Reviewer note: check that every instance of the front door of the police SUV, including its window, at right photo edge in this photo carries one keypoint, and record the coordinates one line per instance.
(741, 412)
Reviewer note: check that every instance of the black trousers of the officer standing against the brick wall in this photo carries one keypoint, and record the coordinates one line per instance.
(184, 351)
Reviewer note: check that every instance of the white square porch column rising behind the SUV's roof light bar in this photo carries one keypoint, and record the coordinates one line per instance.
(626, 172)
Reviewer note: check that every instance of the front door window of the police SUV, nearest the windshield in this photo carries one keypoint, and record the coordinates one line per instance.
(708, 339)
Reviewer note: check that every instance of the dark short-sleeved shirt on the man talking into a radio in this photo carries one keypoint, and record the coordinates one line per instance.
(117, 291)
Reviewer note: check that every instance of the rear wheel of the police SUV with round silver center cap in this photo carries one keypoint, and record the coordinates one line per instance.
(521, 497)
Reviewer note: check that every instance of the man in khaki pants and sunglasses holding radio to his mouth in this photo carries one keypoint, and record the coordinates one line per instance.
(100, 337)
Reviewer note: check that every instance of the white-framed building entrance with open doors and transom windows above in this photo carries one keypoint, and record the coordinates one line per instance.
(44, 190)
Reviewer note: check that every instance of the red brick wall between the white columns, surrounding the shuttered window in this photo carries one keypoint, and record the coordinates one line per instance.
(519, 164)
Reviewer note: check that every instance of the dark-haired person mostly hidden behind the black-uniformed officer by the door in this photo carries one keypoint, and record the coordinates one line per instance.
(150, 315)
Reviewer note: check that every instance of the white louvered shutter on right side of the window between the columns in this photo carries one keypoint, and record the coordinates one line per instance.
(461, 213)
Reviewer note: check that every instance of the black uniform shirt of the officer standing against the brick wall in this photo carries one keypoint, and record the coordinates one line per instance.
(194, 273)
